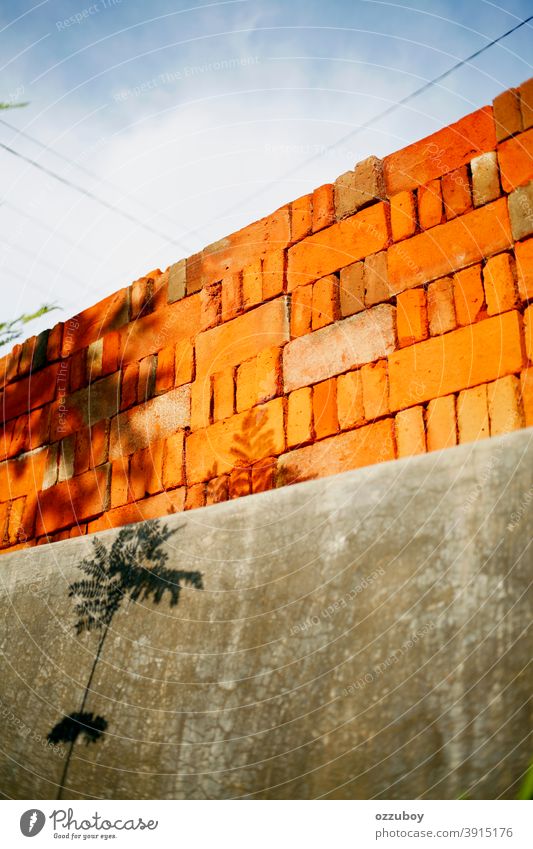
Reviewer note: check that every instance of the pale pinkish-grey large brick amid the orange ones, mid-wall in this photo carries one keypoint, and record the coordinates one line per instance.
(339, 347)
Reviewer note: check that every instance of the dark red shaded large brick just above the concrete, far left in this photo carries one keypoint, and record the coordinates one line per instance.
(73, 501)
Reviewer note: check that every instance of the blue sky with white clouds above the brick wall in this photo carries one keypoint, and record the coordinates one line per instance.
(197, 118)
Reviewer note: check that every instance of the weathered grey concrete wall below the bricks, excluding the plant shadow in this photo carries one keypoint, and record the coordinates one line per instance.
(366, 635)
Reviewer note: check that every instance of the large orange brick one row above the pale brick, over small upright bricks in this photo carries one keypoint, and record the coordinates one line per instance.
(335, 247)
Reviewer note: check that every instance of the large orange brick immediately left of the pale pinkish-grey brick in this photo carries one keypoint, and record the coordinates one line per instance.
(237, 341)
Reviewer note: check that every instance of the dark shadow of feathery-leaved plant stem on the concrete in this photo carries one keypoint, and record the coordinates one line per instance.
(132, 569)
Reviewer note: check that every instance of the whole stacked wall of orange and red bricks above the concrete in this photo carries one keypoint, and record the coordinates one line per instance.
(378, 317)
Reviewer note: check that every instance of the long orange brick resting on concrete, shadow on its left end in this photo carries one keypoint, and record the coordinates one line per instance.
(365, 446)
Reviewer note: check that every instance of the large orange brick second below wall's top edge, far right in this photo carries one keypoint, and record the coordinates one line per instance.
(449, 246)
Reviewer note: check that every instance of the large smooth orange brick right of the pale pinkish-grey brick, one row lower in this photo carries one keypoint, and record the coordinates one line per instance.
(444, 364)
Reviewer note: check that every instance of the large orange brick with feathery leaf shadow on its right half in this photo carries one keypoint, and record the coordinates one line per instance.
(235, 442)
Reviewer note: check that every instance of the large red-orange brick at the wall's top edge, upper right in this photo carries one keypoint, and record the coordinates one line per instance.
(443, 151)
